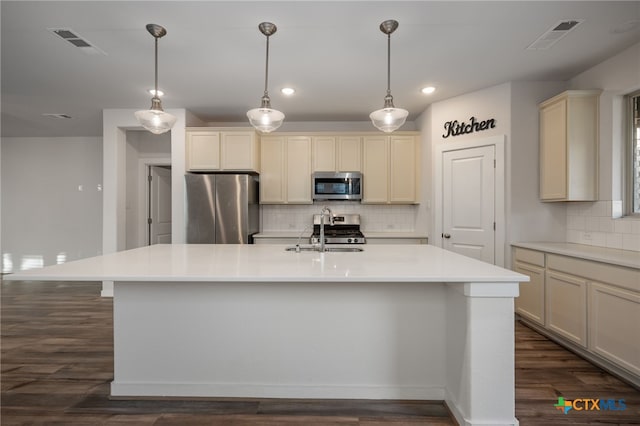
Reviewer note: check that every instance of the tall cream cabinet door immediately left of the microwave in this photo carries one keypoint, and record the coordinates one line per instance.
(298, 170)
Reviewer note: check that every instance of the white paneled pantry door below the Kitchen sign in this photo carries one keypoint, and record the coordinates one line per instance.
(468, 202)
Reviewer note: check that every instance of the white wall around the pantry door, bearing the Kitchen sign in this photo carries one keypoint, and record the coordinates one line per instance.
(514, 106)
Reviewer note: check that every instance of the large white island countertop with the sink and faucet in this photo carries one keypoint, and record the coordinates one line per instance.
(269, 263)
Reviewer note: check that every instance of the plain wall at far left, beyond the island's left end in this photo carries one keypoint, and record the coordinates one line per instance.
(51, 200)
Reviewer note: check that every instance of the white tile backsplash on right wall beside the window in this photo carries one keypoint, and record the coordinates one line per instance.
(600, 224)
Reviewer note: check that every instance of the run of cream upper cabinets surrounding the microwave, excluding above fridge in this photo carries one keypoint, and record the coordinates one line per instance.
(390, 165)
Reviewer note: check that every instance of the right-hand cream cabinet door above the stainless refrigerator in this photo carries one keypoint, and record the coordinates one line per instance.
(239, 151)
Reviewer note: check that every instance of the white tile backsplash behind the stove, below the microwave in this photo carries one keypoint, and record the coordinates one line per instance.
(374, 218)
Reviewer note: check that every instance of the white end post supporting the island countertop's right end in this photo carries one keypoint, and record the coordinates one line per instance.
(481, 348)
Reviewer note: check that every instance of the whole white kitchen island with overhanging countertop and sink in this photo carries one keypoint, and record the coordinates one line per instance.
(412, 322)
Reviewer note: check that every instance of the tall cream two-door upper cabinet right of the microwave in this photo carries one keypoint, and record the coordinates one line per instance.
(390, 169)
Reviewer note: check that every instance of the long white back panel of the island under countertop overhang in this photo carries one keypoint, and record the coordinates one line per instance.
(287, 340)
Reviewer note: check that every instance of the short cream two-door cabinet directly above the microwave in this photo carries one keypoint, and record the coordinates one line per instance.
(337, 153)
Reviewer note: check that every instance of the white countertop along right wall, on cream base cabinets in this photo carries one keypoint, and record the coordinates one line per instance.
(630, 259)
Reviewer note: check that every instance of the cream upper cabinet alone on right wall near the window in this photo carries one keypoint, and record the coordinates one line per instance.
(569, 127)
